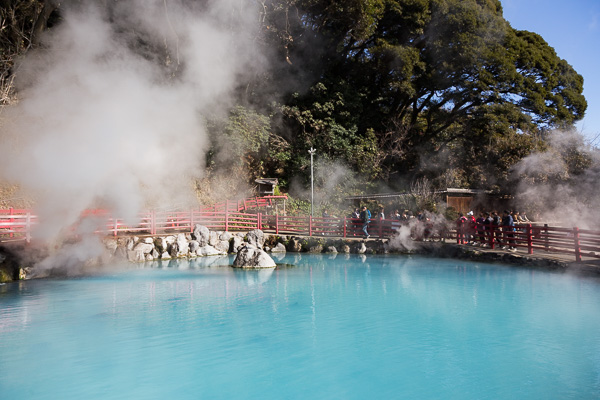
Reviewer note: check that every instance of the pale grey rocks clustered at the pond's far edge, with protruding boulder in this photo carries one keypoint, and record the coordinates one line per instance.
(251, 248)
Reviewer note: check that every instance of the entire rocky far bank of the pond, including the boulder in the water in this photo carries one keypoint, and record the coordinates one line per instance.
(253, 249)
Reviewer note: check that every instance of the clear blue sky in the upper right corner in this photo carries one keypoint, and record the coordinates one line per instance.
(573, 29)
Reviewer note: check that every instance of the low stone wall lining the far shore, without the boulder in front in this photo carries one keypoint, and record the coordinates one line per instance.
(203, 243)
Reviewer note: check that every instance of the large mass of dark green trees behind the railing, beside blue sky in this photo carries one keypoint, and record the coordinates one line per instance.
(444, 89)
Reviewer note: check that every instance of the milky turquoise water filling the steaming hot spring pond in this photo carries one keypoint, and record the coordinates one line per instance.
(345, 328)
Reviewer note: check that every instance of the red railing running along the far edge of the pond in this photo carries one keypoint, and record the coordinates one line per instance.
(18, 224)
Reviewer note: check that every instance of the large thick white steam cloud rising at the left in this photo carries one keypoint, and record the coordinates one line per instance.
(112, 104)
